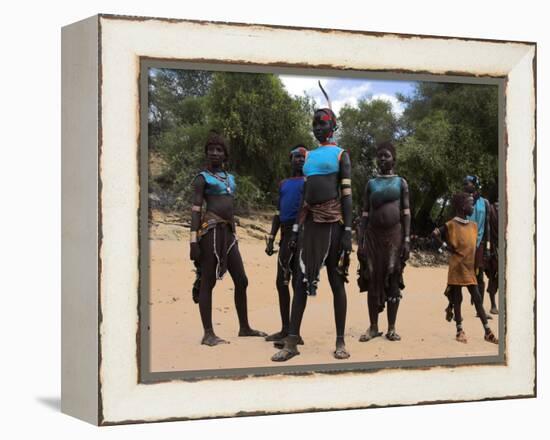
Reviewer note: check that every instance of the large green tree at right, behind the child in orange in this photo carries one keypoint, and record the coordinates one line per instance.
(450, 130)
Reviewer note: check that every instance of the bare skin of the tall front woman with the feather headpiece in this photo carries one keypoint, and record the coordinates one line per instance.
(319, 189)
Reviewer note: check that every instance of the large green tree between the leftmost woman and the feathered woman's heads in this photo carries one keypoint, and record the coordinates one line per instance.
(261, 121)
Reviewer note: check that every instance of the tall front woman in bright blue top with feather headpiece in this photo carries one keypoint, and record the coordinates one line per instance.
(324, 228)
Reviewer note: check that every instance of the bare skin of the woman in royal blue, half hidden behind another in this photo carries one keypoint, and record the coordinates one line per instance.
(297, 164)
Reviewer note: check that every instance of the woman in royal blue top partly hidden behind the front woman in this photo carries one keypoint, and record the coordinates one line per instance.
(290, 197)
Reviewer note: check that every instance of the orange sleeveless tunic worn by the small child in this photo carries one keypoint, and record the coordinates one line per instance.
(462, 237)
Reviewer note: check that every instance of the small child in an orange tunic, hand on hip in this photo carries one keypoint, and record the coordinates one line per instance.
(460, 234)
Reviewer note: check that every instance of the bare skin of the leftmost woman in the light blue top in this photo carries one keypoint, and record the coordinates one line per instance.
(222, 205)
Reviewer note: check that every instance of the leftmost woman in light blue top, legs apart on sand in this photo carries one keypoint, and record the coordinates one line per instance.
(214, 247)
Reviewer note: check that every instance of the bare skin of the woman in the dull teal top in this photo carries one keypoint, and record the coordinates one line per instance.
(385, 215)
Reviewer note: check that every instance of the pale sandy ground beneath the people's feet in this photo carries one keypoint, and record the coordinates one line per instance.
(176, 329)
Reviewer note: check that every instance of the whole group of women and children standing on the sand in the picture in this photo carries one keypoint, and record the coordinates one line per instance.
(314, 218)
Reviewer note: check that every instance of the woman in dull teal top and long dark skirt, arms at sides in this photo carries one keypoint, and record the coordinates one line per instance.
(384, 241)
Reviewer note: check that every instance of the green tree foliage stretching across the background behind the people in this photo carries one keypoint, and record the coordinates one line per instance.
(445, 132)
